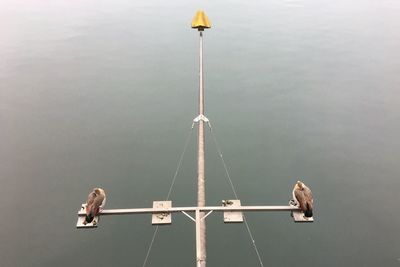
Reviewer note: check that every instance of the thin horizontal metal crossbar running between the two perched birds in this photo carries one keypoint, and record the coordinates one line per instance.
(192, 209)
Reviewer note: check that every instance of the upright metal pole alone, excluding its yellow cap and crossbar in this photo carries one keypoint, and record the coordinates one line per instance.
(201, 252)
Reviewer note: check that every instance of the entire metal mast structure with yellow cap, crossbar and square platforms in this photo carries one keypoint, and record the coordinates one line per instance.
(162, 210)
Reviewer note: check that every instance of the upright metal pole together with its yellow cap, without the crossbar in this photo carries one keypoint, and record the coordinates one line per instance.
(200, 22)
